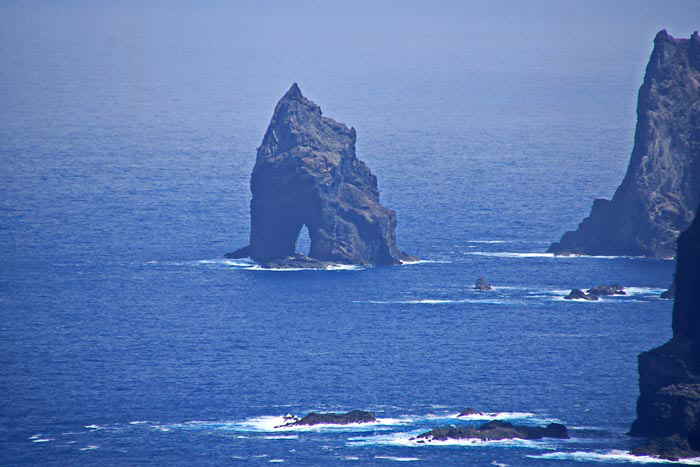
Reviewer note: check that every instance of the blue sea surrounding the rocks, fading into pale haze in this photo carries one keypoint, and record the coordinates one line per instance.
(127, 138)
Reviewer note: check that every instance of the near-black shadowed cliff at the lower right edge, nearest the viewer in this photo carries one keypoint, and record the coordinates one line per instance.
(668, 409)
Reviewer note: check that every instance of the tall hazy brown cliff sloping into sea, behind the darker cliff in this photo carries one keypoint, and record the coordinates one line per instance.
(661, 189)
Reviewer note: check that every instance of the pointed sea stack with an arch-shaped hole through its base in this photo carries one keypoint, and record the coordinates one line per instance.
(307, 173)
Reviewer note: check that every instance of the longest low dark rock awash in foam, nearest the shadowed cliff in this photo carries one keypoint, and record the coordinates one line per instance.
(495, 430)
